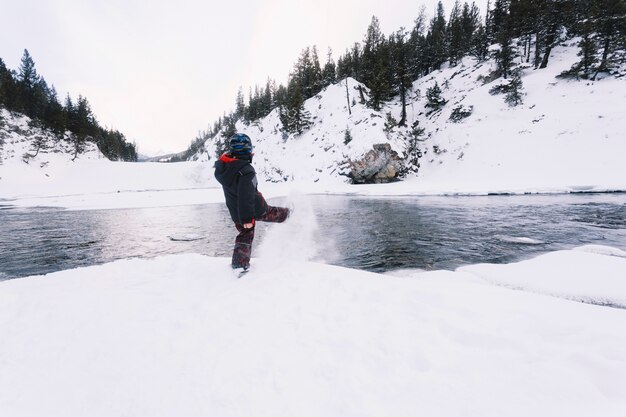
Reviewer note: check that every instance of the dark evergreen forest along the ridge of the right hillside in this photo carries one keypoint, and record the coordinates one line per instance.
(515, 33)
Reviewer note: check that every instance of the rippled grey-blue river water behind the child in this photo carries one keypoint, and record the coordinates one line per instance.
(376, 234)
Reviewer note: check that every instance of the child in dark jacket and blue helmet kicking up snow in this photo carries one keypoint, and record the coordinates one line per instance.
(246, 205)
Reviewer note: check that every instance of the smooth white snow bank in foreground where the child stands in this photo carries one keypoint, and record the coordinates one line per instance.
(180, 335)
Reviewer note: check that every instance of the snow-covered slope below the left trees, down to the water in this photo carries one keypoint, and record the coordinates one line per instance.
(88, 179)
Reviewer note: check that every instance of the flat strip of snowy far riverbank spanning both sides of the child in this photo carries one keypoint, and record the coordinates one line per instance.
(103, 184)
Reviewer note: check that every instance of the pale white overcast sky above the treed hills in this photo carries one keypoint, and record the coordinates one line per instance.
(160, 71)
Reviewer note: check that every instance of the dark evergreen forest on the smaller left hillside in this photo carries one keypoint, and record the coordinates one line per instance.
(26, 92)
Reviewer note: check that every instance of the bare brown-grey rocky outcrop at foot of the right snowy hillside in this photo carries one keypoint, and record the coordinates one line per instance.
(380, 165)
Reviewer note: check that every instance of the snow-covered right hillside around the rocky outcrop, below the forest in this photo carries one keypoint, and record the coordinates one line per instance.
(567, 134)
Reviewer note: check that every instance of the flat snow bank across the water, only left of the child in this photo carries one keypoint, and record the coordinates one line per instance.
(105, 184)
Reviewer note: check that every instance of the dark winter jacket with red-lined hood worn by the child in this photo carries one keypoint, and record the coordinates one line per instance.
(239, 182)
